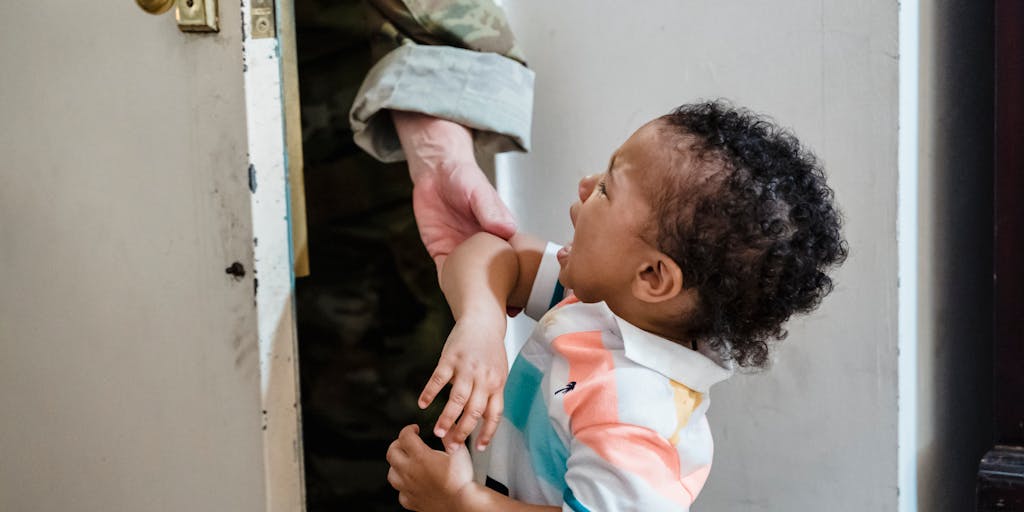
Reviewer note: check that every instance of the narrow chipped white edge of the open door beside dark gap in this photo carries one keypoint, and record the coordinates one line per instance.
(273, 125)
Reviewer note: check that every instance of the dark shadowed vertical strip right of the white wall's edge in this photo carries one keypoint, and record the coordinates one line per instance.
(955, 381)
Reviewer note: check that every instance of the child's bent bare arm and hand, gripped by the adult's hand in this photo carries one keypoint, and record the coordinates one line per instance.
(481, 279)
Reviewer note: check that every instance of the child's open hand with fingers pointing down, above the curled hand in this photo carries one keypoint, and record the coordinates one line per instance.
(474, 361)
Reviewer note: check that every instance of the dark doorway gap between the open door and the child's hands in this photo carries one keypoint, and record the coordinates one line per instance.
(371, 318)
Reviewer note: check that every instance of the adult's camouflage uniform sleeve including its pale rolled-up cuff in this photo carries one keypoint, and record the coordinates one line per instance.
(455, 60)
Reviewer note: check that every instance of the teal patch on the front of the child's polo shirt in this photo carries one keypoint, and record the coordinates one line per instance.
(525, 408)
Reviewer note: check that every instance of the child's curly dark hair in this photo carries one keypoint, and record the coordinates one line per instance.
(755, 237)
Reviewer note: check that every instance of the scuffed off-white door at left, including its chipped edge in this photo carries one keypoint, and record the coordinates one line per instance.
(142, 369)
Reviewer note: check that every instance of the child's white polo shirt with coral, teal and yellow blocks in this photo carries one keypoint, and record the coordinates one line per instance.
(600, 414)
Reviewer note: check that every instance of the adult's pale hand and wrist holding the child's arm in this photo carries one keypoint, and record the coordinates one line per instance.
(452, 198)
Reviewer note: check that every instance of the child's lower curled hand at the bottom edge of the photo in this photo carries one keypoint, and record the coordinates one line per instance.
(428, 480)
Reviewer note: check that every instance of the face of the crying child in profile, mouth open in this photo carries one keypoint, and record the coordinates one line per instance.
(611, 219)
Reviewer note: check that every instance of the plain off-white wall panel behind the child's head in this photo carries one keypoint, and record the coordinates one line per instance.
(819, 431)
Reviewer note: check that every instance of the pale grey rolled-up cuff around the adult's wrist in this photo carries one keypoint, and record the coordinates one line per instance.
(484, 92)
